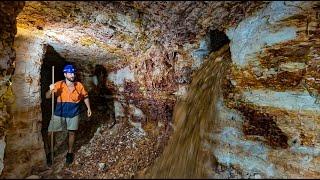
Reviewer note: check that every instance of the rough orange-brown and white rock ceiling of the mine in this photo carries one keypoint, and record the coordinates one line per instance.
(102, 31)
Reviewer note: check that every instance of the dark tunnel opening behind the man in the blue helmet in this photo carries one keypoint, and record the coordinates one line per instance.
(101, 101)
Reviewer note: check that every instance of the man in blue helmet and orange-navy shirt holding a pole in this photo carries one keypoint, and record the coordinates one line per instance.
(66, 115)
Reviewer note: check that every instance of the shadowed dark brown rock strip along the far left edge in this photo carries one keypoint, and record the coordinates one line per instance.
(8, 13)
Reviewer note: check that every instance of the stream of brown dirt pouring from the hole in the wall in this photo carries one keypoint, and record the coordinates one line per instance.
(186, 155)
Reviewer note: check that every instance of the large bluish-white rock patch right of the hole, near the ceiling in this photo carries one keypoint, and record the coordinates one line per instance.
(255, 32)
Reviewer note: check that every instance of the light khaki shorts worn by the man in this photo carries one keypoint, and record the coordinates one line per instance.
(62, 123)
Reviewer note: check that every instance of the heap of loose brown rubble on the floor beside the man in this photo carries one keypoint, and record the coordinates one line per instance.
(115, 151)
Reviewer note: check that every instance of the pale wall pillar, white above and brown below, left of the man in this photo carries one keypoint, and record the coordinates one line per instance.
(25, 148)
